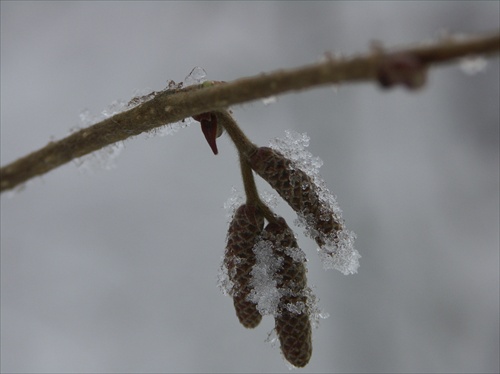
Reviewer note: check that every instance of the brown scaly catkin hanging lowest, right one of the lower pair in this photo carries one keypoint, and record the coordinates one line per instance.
(292, 321)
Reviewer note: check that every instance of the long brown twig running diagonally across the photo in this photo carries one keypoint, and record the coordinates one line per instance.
(176, 104)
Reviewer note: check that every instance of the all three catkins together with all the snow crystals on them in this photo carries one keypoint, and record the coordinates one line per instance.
(263, 268)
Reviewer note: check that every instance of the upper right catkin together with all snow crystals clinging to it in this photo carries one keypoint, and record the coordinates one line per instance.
(294, 172)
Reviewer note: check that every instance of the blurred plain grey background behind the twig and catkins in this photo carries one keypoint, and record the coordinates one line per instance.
(116, 270)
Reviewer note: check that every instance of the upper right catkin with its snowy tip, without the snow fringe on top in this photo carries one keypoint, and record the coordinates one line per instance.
(316, 207)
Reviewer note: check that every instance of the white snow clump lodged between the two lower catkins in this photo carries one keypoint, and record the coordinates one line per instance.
(265, 293)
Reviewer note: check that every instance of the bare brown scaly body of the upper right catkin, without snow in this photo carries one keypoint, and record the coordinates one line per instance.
(298, 190)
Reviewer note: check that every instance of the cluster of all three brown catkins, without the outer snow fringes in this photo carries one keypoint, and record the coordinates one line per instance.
(288, 298)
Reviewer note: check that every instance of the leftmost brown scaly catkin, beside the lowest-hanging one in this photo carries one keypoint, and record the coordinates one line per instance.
(239, 258)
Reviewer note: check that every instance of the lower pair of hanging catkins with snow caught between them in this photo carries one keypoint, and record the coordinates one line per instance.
(264, 272)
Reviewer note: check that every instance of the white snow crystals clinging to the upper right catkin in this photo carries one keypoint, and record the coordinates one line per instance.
(338, 252)
